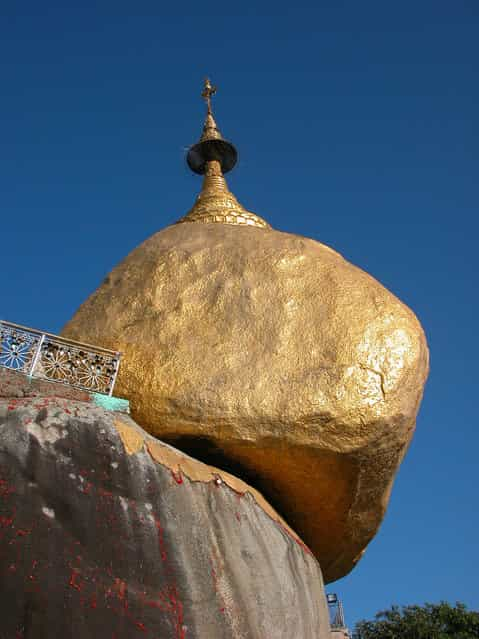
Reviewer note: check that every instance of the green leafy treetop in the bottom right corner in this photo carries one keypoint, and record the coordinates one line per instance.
(431, 621)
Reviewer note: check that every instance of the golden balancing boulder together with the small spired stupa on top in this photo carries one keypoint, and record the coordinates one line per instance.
(268, 355)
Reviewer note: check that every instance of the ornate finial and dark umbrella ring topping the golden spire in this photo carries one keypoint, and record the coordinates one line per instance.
(211, 146)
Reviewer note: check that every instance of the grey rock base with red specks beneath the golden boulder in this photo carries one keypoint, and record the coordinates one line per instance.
(108, 532)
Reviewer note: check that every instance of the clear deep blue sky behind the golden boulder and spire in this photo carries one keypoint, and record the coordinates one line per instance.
(357, 125)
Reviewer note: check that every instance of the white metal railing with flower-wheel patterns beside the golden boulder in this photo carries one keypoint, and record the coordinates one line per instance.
(58, 359)
